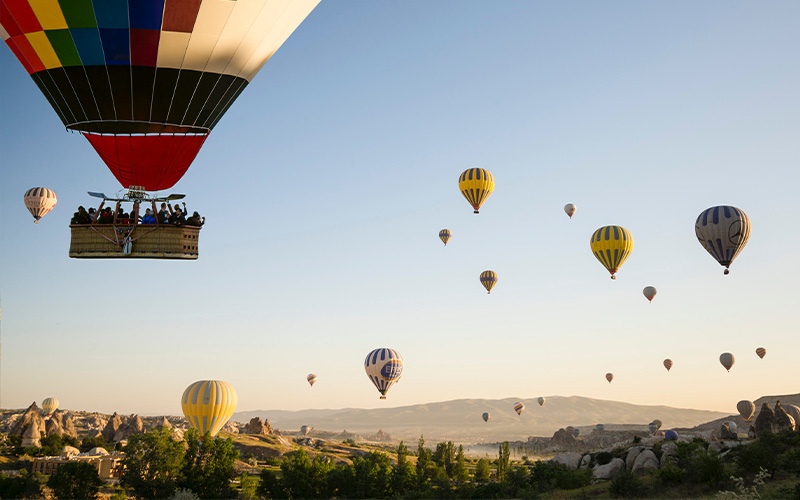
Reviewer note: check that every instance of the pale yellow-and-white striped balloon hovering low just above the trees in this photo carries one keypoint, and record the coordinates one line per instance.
(208, 404)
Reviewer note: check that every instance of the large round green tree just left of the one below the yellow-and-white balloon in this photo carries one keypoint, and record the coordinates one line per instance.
(152, 464)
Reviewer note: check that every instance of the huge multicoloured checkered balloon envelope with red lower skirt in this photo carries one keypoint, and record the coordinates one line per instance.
(145, 81)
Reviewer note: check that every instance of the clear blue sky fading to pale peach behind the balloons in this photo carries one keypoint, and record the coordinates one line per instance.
(326, 183)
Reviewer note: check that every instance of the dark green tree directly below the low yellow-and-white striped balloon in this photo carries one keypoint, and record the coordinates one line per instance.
(208, 466)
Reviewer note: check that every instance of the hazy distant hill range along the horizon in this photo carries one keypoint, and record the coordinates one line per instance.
(460, 420)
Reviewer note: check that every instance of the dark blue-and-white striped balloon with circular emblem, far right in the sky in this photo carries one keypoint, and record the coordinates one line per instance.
(723, 231)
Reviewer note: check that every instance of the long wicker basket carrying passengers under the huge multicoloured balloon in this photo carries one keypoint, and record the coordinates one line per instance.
(104, 241)
